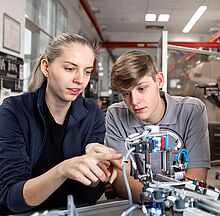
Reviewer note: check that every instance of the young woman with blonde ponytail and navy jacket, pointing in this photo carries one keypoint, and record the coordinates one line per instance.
(44, 134)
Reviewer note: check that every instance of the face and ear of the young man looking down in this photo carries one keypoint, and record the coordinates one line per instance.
(143, 100)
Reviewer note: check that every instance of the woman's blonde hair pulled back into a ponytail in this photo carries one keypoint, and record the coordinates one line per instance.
(53, 51)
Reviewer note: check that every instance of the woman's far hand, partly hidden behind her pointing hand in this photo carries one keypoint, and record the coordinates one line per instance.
(116, 164)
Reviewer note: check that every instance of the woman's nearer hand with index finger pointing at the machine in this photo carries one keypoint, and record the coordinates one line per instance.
(87, 169)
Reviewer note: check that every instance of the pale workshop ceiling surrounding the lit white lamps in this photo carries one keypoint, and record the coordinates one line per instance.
(123, 20)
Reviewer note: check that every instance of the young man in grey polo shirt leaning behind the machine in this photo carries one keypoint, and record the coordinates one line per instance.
(135, 76)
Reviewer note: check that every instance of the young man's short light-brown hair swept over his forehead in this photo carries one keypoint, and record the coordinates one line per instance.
(130, 67)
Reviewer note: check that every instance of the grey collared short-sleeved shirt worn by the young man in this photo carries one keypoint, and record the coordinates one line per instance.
(185, 115)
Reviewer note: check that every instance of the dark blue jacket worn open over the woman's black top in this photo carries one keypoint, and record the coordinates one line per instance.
(22, 138)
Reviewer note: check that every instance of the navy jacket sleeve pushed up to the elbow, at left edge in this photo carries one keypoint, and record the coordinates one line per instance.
(14, 160)
